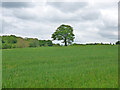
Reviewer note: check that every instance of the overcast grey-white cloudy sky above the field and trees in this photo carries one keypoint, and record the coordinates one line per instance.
(92, 20)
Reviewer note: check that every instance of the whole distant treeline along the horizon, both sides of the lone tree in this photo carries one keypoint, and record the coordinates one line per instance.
(18, 42)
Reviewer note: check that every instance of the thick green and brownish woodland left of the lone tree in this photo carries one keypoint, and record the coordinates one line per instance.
(19, 42)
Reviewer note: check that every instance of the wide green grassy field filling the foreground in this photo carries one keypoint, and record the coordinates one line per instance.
(61, 67)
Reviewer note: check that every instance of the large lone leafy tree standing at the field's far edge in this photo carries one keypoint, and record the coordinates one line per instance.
(65, 33)
